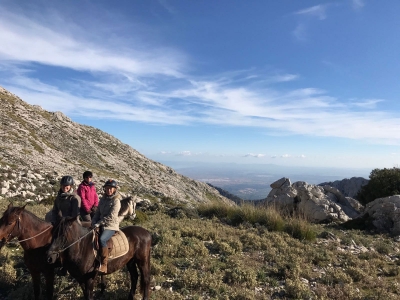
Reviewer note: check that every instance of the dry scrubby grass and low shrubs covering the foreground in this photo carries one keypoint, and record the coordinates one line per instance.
(242, 253)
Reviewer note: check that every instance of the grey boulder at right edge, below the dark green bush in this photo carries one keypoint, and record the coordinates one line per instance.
(385, 214)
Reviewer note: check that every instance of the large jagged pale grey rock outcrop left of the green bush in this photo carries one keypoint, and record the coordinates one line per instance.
(316, 203)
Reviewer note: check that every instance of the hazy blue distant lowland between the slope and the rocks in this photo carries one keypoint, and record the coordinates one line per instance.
(252, 181)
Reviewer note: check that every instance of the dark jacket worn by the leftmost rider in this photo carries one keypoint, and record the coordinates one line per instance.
(67, 203)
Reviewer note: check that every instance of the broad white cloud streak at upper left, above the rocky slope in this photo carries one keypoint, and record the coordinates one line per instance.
(54, 46)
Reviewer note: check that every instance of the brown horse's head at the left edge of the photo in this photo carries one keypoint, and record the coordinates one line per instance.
(10, 223)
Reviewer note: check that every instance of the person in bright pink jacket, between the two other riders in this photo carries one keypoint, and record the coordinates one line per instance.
(90, 200)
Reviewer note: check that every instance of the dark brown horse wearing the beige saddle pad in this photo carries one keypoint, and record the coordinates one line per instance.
(73, 244)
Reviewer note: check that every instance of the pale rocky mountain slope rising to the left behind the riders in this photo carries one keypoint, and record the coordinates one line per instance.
(38, 147)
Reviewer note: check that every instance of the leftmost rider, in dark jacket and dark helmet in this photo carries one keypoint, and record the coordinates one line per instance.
(67, 201)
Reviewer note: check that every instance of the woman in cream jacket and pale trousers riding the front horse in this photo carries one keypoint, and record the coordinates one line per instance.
(107, 216)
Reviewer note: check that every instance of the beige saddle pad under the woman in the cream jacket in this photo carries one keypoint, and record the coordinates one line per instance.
(117, 245)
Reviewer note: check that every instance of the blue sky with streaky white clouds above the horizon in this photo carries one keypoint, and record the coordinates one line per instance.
(297, 83)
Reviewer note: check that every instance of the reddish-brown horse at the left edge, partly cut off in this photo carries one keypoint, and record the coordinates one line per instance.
(35, 236)
